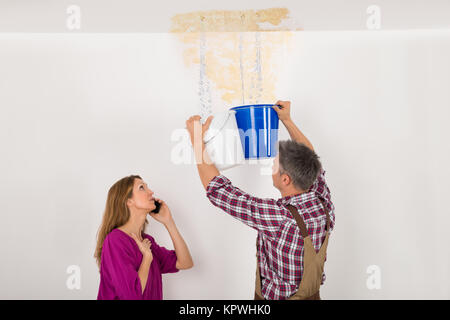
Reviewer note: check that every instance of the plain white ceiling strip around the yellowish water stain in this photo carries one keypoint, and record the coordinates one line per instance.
(154, 16)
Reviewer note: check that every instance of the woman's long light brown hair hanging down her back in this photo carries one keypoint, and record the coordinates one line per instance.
(116, 212)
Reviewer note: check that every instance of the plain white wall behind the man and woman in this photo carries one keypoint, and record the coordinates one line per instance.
(79, 112)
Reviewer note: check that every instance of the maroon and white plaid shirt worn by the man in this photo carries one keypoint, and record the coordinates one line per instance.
(279, 243)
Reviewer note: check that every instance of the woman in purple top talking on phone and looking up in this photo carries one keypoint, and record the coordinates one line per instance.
(130, 261)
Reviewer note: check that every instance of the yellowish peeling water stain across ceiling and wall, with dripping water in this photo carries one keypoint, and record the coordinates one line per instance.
(235, 51)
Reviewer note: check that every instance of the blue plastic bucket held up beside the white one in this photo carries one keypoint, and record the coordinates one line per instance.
(258, 129)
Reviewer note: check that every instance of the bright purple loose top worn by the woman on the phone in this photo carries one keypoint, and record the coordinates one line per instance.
(120, 262)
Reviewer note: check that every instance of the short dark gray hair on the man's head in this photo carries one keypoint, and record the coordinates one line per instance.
(299, 162)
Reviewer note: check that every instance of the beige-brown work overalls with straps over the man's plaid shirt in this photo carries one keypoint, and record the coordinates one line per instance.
(313, 263)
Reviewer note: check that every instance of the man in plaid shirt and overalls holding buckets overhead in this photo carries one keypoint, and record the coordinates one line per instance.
(290, 229)
